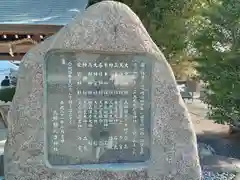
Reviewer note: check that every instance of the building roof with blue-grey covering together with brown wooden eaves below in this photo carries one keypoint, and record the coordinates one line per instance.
(22, 20)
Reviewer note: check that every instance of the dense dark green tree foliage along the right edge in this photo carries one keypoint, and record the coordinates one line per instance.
(218, 45)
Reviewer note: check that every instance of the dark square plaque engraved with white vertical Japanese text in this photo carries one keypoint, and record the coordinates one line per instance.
(98, 108)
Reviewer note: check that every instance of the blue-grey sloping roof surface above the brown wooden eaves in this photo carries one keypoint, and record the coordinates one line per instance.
(55, 12)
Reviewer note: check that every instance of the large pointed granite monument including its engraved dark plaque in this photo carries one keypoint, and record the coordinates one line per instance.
(99, 101)
